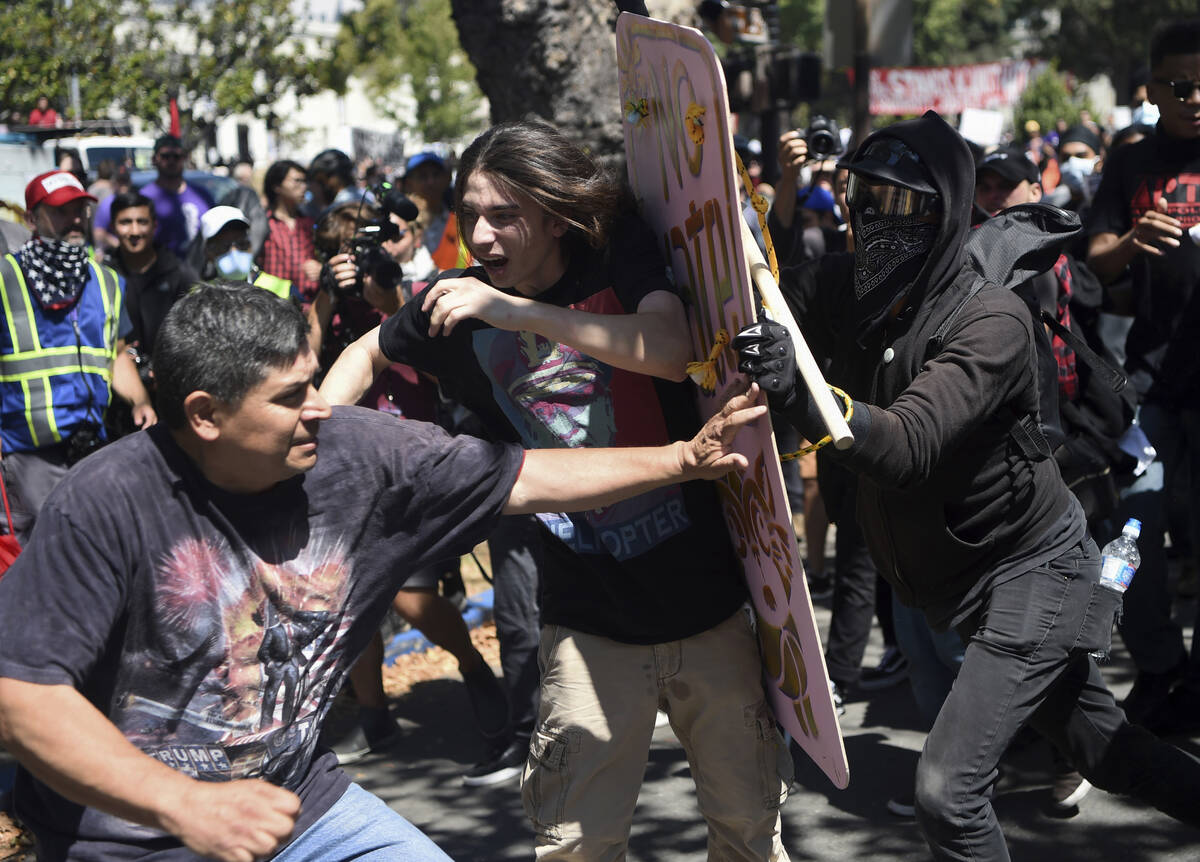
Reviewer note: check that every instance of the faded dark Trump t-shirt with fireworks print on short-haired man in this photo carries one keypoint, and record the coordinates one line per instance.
(214, 630)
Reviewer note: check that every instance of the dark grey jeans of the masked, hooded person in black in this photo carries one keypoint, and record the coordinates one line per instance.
(1028, 663)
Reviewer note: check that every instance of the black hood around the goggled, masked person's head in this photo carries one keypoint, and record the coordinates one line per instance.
(946, 157)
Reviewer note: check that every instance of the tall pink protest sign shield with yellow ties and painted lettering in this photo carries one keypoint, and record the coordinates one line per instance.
(680, 154)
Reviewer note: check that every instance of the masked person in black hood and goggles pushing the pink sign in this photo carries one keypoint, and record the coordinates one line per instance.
(961, 504)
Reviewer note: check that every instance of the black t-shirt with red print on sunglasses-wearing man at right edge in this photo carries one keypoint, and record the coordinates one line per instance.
(1162, 356)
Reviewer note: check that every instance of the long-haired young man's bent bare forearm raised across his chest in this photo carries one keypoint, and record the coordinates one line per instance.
(652, 342)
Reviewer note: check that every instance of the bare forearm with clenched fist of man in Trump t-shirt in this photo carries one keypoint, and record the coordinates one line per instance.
(233, 822)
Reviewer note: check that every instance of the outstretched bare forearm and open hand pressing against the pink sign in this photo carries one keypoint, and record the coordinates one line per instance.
(579, 480)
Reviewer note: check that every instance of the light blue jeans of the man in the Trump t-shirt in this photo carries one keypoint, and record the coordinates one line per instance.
(362, 827)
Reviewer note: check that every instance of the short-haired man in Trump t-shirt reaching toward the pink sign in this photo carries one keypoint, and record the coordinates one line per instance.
(166, 660)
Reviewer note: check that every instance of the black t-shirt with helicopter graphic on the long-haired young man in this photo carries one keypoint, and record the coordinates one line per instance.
(656, 568)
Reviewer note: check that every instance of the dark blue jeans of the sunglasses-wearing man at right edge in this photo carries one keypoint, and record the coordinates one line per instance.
(1155, 640)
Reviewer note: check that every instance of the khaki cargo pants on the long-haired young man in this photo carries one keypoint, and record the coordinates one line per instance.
(589, 755)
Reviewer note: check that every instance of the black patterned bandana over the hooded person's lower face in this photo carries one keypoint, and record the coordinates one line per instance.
(889, 252)
